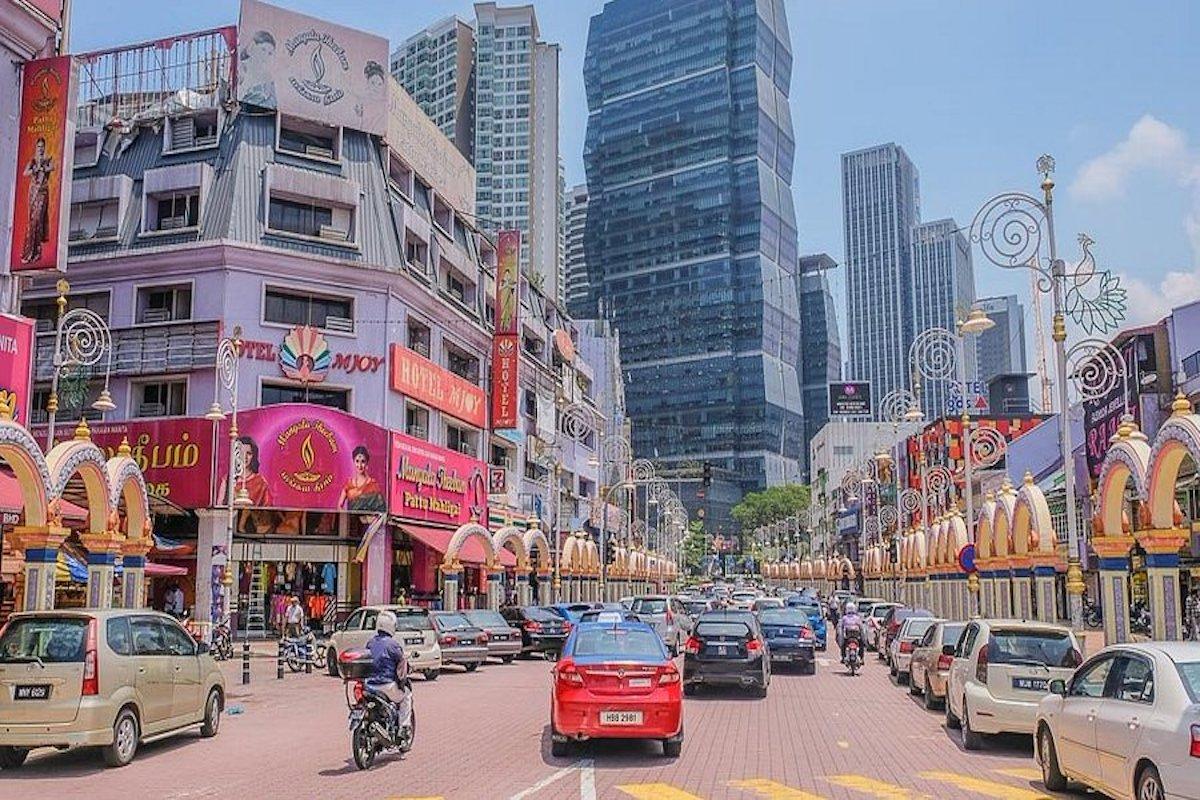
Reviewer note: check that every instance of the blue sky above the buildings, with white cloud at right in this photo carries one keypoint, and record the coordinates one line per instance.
(975, 92)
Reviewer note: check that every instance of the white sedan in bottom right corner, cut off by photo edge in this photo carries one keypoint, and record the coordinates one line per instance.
(1127, 724)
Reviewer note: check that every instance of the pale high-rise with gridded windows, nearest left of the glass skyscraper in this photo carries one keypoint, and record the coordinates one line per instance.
(517, 137)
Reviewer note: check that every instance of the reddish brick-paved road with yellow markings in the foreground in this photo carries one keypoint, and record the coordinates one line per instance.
(484, 736)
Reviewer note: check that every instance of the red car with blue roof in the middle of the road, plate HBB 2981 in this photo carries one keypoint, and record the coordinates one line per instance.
(615, 681)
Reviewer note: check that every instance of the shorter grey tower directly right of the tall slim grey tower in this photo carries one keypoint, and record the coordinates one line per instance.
(944, 293)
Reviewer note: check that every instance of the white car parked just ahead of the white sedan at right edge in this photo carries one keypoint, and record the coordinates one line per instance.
(1001, 670)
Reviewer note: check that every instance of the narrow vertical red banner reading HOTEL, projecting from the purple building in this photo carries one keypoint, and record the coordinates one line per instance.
(507, 342)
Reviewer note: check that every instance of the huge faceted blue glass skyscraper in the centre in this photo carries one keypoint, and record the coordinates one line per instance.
(691, 237)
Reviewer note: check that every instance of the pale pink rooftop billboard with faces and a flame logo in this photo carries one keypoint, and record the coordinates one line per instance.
(313, 69)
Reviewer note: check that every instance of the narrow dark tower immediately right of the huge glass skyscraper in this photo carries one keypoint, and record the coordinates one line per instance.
(820, 347)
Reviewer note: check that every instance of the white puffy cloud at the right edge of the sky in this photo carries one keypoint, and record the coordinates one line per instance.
(1151, 147)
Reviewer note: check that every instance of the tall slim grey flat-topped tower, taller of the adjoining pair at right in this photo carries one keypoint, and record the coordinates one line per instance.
(880, 208)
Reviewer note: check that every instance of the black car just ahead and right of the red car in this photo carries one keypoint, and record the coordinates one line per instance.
(727, 648)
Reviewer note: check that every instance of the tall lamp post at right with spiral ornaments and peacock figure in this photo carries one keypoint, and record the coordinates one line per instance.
(1016, 231)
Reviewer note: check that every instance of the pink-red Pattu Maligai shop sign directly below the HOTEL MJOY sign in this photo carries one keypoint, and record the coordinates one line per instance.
(431, 484)
